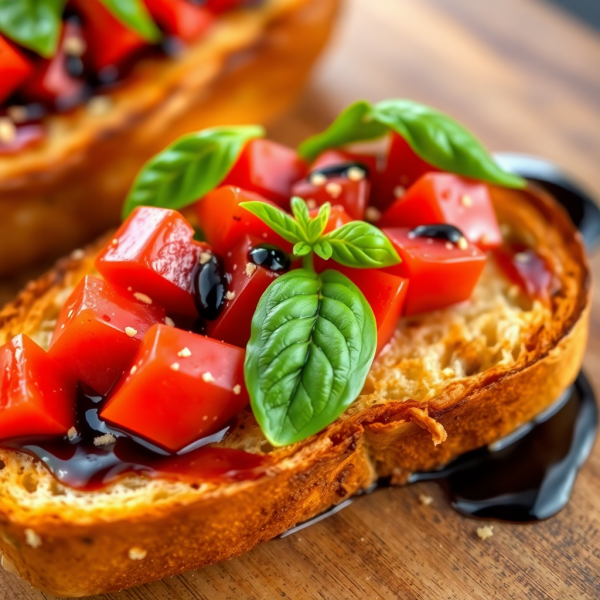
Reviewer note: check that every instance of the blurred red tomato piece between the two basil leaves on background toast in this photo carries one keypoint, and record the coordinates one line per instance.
(109, 42)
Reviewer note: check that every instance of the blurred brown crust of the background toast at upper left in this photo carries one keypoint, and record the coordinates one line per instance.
(67, 191)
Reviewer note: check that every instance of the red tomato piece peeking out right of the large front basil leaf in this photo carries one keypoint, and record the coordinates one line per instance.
(385, 293)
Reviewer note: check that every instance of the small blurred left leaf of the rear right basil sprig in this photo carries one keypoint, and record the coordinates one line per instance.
(354, 124)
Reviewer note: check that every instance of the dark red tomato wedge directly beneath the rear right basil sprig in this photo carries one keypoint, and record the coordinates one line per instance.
(402, 168)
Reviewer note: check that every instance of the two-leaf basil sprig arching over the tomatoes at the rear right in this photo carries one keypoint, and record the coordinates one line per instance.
(432, 135)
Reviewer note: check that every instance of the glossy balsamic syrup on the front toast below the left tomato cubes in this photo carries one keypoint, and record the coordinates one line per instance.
(80, 464)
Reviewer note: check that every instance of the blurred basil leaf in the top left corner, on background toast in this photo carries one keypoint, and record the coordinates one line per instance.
(34, 24)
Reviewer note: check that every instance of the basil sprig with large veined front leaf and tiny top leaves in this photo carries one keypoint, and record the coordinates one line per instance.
(313, 335)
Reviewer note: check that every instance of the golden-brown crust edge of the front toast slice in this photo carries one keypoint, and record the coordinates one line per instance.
(376, 437)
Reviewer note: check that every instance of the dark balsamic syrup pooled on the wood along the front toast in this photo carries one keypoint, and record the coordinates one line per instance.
(526, 477)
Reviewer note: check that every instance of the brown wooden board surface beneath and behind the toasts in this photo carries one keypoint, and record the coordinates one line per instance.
(526, 78)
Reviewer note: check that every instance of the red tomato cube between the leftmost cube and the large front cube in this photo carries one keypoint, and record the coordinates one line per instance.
(98, 331)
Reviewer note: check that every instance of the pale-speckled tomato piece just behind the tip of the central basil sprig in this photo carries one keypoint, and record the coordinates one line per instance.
(352, 195)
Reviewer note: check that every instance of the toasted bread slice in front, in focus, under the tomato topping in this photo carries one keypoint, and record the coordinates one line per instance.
(449, 382)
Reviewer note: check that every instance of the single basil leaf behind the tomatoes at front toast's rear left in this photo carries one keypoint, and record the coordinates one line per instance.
(189, 168)
